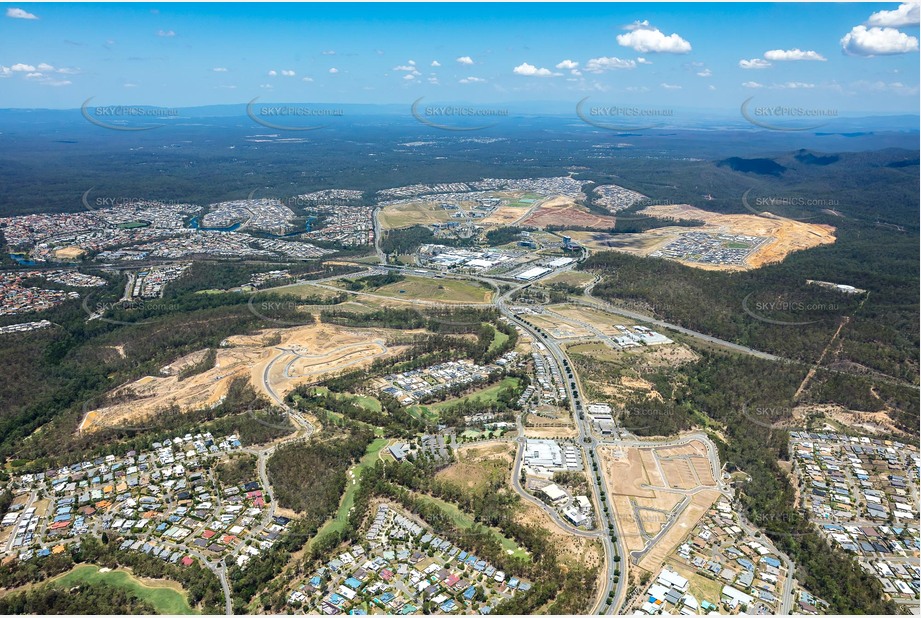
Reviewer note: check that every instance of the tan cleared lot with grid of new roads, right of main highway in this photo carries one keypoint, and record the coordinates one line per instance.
(652, 486)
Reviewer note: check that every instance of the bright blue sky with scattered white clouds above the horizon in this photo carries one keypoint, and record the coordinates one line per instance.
(850, 57)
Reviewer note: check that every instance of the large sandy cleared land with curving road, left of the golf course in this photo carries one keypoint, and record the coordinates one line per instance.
(305, 354)
